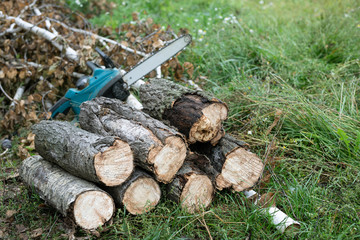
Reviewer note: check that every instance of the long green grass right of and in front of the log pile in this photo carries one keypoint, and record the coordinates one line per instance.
(299, 57)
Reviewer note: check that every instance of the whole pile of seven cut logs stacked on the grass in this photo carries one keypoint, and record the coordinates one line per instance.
(121, 156)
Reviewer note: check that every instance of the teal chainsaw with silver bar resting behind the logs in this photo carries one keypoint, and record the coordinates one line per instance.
(110, 81)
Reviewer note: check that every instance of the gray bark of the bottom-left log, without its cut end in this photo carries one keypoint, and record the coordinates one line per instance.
(57, 187)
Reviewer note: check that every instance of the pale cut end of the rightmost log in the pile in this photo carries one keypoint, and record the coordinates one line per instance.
(241, 170)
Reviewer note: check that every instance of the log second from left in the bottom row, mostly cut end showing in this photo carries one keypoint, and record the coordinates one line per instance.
(139, 194)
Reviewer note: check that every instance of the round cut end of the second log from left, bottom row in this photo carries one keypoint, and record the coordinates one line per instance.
(142, 195)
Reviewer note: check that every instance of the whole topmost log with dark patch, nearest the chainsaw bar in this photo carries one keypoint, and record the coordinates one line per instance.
(194, 113)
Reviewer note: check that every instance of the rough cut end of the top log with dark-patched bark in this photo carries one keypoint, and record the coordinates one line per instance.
(208, 127)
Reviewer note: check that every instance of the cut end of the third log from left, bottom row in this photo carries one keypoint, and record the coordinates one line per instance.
(197, 193)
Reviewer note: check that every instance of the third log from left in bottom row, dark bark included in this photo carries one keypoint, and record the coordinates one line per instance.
(191, 188)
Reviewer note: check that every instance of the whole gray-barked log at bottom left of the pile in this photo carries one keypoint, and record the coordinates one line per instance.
(88, 205)
